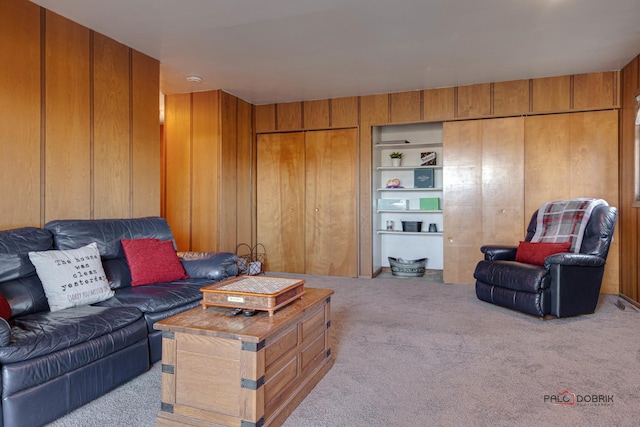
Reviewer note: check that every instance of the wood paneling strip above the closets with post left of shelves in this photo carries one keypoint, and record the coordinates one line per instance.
(584, 92)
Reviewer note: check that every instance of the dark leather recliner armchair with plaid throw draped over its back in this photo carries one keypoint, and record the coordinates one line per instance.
(568, 284)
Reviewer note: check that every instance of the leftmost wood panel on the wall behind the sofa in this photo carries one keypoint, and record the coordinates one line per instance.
(20, 117)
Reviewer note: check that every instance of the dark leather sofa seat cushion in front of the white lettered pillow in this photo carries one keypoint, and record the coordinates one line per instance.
(43, 333)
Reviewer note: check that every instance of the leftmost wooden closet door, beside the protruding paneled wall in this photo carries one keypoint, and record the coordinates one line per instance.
(280, 199)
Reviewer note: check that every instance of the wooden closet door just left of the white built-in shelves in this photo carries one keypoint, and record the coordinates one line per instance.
(331, 189)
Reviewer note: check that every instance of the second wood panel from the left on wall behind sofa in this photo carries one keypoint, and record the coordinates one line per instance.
(68, 119)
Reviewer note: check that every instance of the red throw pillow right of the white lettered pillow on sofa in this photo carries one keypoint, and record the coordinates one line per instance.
(152, 261)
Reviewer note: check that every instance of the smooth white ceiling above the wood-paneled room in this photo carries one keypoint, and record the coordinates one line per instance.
(269, 51)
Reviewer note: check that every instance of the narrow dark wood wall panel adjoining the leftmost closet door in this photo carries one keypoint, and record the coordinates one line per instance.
(246, 175)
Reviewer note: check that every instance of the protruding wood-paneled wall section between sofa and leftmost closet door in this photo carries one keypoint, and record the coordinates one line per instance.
(207, 169)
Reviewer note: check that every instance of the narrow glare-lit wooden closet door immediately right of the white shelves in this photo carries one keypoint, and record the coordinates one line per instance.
(462, 199)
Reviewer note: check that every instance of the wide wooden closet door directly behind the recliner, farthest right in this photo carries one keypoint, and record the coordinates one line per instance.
(575, 155)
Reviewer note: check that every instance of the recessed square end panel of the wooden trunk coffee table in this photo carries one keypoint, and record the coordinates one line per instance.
(207, 374)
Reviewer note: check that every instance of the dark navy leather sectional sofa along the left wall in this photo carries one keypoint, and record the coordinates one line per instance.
(54, 362)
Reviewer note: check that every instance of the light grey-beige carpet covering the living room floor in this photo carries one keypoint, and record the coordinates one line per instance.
(414, 352)
